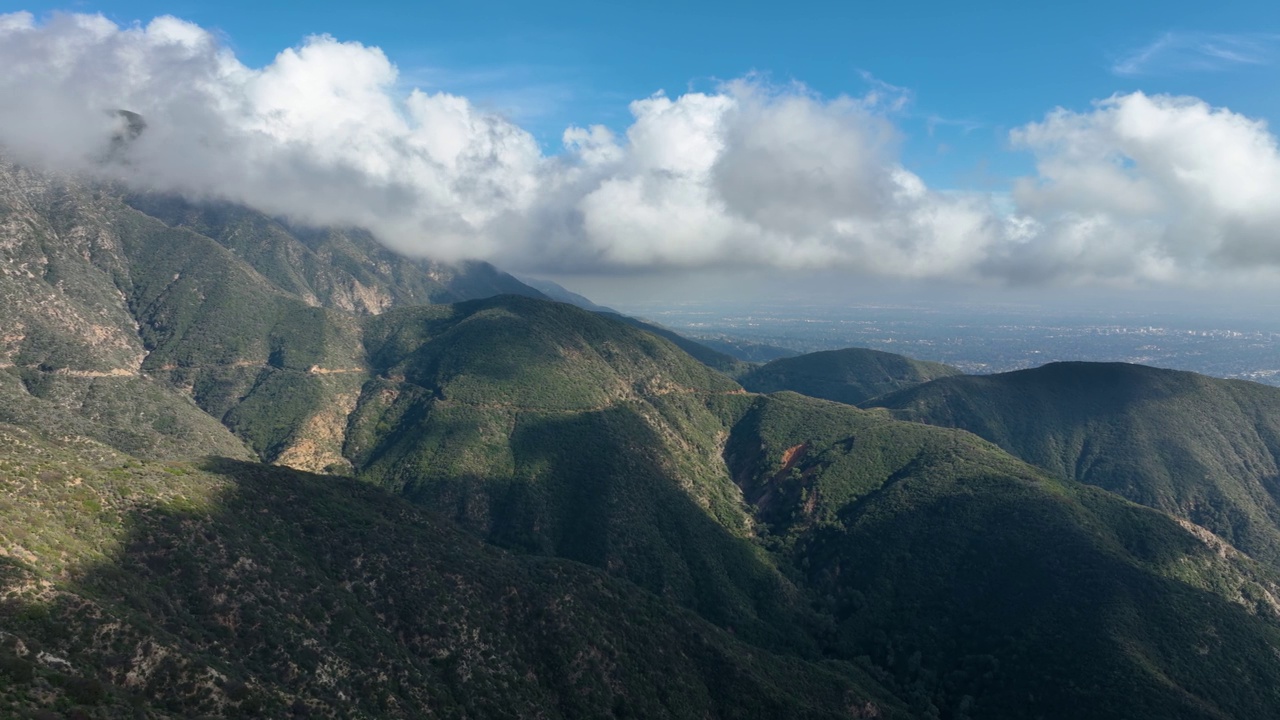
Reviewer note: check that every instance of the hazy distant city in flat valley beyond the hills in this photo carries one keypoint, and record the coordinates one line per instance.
(994, 339)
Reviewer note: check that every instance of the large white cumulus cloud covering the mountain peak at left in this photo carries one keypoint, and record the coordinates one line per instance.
(319, 135)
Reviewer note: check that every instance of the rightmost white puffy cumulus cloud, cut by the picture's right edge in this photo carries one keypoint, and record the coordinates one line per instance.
(1150, 188)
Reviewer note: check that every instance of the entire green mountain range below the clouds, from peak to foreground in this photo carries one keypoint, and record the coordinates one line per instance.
(255, 470)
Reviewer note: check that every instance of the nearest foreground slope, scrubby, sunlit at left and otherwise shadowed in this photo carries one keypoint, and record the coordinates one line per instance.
(246, 591)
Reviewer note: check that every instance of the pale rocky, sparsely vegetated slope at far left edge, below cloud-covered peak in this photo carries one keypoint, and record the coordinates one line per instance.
(71, 354)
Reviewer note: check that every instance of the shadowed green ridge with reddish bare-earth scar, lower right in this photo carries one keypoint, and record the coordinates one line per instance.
(980, 587)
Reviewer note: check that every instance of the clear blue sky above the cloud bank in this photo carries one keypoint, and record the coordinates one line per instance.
(972, 71)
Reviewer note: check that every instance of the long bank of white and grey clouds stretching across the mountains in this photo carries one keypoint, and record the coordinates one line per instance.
(1139, 189)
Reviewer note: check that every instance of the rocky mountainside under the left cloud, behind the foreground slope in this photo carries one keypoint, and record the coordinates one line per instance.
(150, 335)
